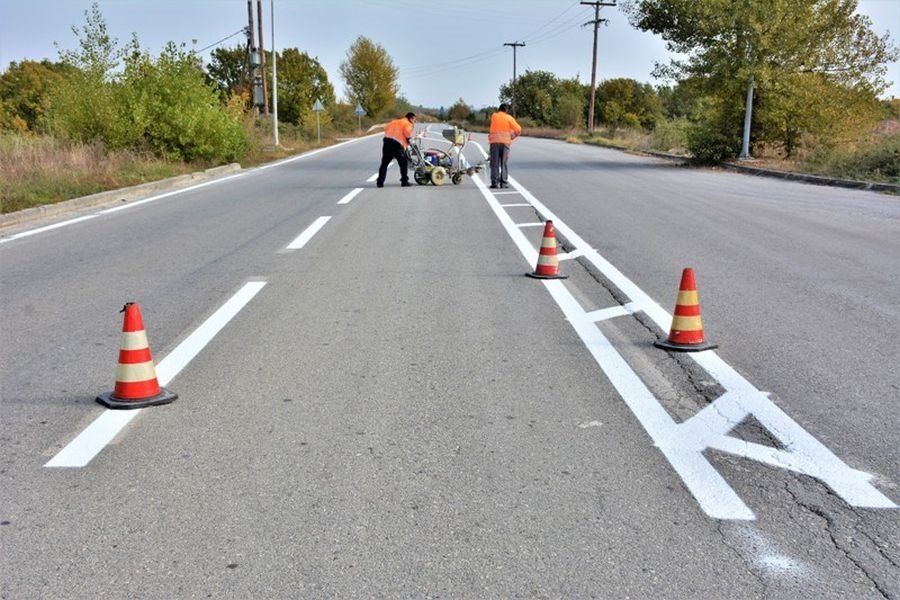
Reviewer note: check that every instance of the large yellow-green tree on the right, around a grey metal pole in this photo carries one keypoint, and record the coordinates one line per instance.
(786, 48)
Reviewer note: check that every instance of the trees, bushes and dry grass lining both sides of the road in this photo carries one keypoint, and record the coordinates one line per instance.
(107, 115)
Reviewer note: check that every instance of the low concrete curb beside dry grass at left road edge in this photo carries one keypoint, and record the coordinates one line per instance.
(119, 196)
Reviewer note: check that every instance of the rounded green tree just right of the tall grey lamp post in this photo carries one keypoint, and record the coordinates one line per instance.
(301, 81)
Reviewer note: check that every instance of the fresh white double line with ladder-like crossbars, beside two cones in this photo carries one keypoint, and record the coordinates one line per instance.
(683, 444)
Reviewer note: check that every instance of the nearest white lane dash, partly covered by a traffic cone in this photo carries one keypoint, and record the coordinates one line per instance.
(80, 451)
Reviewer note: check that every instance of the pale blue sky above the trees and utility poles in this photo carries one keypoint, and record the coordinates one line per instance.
(444, 50)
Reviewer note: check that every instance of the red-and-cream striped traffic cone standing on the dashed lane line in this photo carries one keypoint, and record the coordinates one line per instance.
(136, 383)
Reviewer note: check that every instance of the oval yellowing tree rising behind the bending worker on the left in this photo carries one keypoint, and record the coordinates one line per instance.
(370, 76)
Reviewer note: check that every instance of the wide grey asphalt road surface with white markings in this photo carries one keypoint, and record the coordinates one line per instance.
(392, 409)
